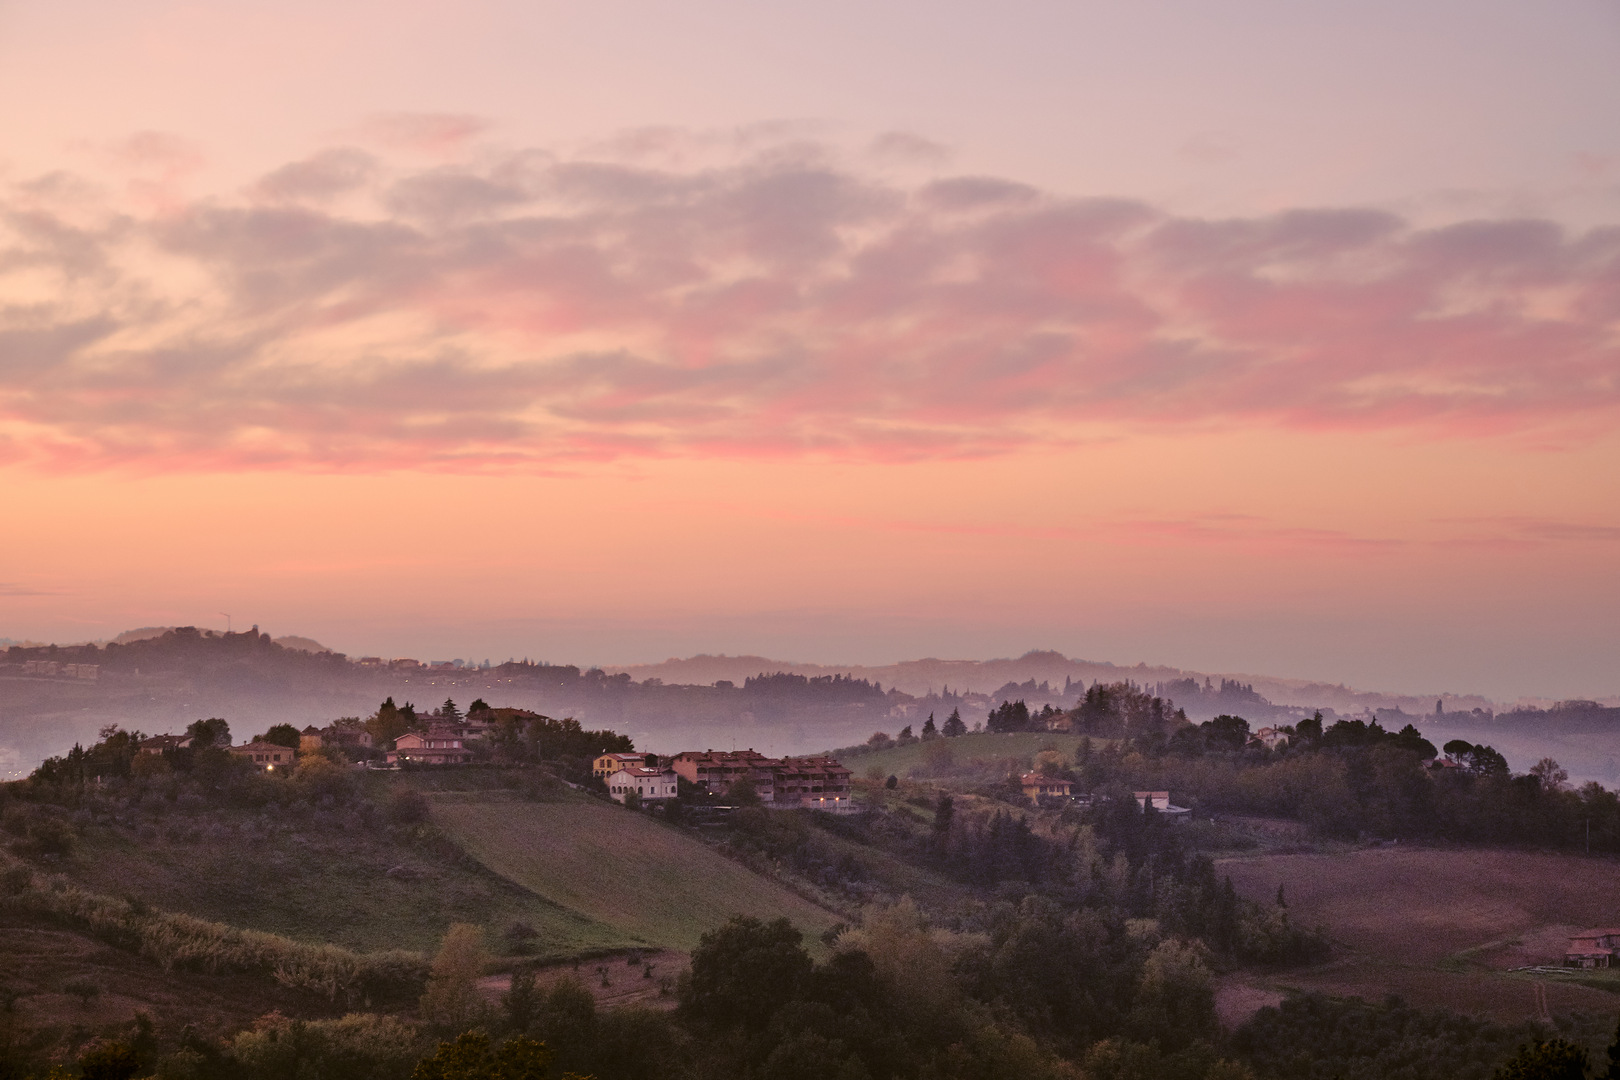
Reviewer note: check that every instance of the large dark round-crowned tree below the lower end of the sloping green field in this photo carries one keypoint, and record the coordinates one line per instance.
(743, 974)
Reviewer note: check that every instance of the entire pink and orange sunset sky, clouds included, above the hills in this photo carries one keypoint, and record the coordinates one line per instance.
(1248, 338)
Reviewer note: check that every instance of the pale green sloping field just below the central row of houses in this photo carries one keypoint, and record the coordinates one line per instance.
(649, 883)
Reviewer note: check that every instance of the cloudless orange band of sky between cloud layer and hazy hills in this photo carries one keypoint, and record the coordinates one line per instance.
(1085, 550)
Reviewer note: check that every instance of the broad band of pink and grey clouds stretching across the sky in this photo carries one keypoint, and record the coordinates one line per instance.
(532, 310)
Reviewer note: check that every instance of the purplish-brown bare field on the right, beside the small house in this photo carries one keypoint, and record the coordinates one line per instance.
(1443, 927)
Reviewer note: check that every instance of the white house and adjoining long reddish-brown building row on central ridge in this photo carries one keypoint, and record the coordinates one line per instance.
(814, 783)
